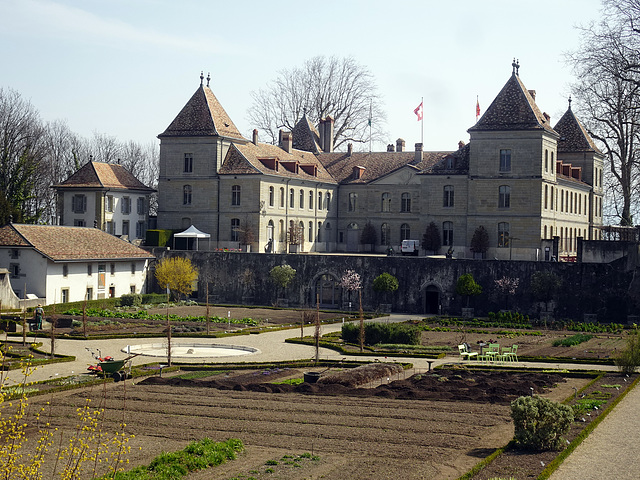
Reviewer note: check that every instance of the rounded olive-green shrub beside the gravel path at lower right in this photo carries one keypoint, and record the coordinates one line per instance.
(539, 422)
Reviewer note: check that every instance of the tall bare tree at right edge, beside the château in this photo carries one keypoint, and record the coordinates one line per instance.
(608, 94)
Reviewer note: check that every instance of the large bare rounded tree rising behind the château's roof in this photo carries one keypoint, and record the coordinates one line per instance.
(323, 86)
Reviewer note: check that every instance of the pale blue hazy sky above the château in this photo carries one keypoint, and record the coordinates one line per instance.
(125, 68)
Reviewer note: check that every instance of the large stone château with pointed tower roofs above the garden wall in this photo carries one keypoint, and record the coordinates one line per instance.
(526, 182)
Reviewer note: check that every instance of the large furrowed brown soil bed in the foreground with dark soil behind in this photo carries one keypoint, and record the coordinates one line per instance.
(428, 426)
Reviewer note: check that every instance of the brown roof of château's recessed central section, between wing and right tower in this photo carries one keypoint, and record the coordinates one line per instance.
(340, 165)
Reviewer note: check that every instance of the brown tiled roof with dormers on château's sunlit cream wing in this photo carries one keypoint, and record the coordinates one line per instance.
(244, 159)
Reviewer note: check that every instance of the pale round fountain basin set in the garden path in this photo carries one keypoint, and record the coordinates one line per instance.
(189, 350)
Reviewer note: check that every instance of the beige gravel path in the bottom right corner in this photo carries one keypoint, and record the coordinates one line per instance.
(611, 451)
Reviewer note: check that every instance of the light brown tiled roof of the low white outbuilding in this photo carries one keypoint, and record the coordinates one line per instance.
(60, 243)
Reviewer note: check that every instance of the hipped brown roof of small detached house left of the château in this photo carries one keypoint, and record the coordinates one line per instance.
(103, 175)
